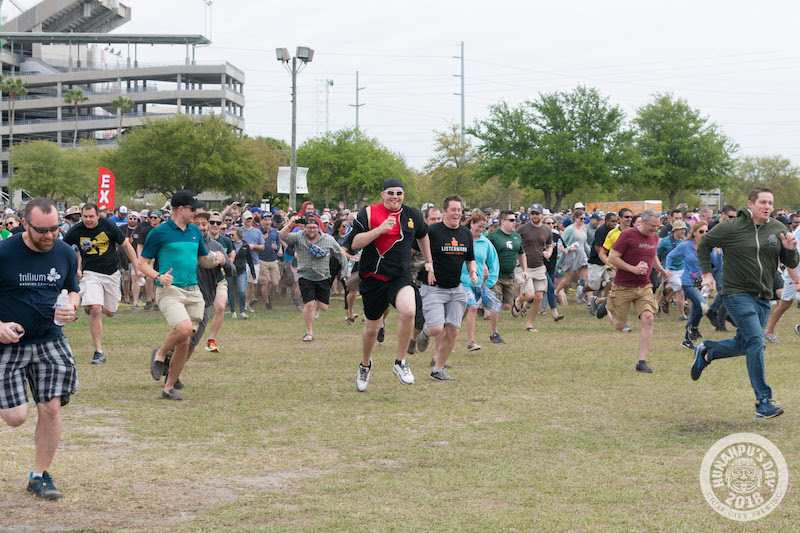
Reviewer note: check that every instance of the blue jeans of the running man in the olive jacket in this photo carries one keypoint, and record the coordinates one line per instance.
(750, 314)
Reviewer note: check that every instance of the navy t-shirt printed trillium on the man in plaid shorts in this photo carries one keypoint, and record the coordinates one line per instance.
(30, 282)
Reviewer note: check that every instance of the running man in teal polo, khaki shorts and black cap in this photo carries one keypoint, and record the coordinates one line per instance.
(177, 247)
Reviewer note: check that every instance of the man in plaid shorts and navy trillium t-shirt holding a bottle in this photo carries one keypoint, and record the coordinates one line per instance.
(35, 266)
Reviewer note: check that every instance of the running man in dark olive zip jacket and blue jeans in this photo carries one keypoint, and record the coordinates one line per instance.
(753, 244)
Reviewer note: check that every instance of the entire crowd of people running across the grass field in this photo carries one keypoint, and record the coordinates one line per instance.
(440, 267)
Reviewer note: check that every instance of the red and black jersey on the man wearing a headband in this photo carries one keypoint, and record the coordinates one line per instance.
(388, 256)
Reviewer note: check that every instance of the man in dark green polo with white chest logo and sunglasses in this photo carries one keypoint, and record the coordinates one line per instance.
(511, 254)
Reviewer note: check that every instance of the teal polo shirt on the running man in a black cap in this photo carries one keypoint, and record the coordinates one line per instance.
(177, 249)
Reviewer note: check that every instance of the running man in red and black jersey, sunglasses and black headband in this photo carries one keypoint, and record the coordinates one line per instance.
(386, 232)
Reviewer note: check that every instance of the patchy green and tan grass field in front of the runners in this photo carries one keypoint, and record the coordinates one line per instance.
(552, 431)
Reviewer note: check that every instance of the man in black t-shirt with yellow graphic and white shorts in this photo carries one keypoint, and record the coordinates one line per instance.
(97, 239)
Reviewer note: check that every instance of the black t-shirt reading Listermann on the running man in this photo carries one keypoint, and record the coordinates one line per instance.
(449, 249)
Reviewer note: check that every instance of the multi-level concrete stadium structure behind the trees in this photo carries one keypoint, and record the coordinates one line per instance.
(58, 45)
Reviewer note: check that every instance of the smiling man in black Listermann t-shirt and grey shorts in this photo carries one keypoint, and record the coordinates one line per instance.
(443, 298)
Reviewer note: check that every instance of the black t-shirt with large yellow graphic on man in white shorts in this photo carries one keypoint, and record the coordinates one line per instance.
(97, 245)
